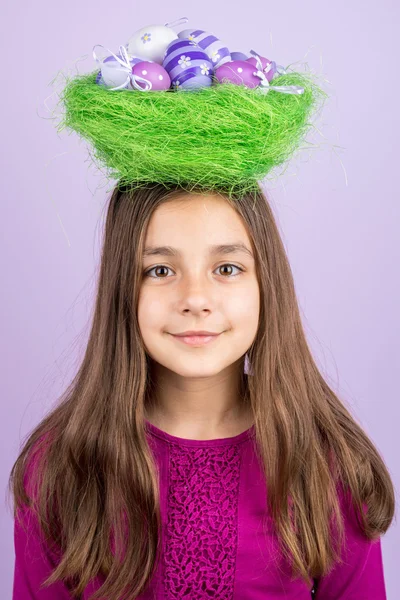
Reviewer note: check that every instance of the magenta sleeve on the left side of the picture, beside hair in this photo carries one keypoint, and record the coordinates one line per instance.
(34, 562)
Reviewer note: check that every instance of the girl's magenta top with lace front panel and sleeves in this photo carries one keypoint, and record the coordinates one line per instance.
(212, 504)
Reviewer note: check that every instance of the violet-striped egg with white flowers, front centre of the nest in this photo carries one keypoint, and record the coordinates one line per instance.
(188, 65)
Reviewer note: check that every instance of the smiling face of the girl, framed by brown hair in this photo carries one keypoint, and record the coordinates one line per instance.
(197, 289)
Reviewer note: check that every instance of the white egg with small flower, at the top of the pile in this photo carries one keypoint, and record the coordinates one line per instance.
(150, 42)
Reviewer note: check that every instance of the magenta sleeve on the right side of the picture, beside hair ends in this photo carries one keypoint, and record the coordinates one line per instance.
(361, 575)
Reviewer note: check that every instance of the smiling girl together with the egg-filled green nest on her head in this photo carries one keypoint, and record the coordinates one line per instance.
(198, 453)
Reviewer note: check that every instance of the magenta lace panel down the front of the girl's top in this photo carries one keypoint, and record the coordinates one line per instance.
(201, 532)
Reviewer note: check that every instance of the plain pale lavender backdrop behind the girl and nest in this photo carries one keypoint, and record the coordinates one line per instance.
(337, 205)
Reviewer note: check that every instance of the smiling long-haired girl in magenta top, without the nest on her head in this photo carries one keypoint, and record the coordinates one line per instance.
(173, 470)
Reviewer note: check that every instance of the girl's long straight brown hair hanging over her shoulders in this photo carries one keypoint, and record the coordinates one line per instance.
(97, 467)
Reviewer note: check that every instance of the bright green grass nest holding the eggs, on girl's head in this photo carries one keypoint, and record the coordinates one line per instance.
(225, 137)
